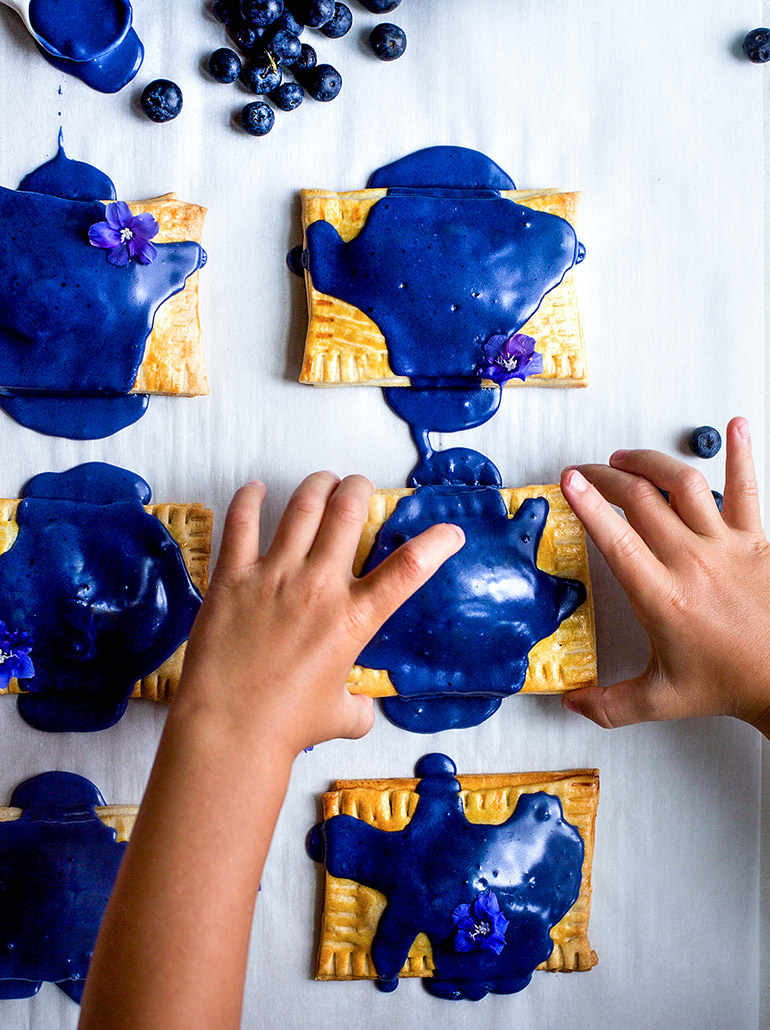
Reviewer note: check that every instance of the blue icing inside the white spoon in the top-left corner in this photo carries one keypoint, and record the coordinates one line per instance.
(81, 30)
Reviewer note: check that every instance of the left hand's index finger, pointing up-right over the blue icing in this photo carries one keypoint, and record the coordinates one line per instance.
(386, 589)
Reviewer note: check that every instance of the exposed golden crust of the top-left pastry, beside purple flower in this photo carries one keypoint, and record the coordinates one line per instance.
(173, 360)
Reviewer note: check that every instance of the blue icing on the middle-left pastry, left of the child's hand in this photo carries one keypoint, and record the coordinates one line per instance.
(101, 587)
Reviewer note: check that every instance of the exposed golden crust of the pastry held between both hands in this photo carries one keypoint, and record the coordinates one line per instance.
(564, 662)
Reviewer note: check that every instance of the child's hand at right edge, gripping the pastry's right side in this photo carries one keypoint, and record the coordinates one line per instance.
(698, 581)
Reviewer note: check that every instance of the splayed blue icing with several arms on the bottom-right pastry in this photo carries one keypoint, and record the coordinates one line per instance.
(533, 863)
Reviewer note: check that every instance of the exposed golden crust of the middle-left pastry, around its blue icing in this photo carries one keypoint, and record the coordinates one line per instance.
(191, 527)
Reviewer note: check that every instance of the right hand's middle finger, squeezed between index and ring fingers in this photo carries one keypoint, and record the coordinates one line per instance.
(646, 509)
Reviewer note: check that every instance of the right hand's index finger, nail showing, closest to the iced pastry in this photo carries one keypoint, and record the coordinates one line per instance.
(634, 565)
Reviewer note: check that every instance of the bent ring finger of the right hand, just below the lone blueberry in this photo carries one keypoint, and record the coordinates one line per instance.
(689, 493)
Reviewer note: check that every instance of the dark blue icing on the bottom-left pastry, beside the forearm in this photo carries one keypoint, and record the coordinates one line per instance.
(58, 866)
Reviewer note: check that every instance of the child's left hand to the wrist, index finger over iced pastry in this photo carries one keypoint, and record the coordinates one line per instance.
(278, 634)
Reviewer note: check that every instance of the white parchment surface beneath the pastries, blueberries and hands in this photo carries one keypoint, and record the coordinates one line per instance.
(647, 109)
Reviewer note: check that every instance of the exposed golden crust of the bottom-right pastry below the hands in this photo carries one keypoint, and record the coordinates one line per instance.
(352, 912)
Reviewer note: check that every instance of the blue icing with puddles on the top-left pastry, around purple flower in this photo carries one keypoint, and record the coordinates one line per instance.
(74, 328)
